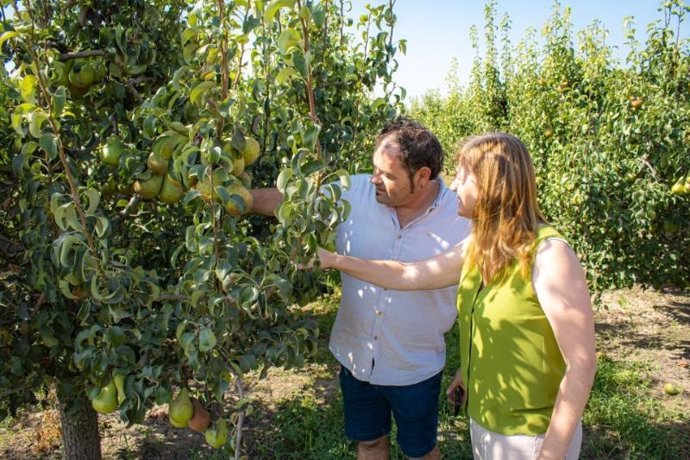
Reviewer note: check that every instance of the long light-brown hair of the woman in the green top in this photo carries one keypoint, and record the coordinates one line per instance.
(506, 216)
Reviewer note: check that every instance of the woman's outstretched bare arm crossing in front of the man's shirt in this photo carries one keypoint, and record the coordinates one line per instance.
(439, 271)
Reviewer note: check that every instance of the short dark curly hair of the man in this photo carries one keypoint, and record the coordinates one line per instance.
(419, 147)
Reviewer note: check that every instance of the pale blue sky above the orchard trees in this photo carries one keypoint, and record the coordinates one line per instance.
(438, 30)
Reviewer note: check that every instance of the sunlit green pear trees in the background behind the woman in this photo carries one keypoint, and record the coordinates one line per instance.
(609, 141)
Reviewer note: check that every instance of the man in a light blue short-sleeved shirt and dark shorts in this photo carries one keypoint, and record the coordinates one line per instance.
(390, 344)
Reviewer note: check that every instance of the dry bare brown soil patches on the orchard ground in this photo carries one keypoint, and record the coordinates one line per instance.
(652, 327)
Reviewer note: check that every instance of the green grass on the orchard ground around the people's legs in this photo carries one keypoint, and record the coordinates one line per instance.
(623, 420)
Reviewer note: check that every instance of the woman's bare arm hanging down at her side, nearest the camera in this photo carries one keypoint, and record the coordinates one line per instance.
(561, 288)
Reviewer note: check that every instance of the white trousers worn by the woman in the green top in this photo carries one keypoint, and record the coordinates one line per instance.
(487, 445)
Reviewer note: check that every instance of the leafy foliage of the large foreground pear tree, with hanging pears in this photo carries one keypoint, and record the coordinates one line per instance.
(107, 104)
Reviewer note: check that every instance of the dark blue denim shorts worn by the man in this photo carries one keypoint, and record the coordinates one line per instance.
(368, 411)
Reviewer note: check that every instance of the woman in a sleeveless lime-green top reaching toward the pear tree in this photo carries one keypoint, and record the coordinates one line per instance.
(526, 326)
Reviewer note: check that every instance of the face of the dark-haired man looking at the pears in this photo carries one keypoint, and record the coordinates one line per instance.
(393, 186)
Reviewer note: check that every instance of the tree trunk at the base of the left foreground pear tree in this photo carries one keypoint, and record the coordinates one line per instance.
(80, 437)
